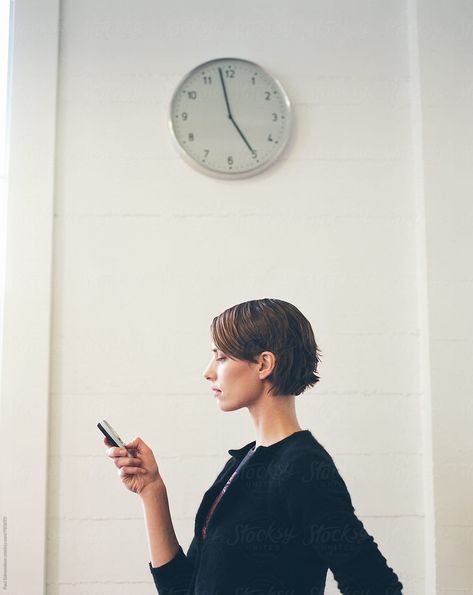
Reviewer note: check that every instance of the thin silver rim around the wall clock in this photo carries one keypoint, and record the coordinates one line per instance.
(232, 175)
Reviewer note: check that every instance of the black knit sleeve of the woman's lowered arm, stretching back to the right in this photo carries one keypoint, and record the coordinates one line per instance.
(319, 504)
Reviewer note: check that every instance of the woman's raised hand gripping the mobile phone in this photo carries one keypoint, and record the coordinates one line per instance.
(139, 471)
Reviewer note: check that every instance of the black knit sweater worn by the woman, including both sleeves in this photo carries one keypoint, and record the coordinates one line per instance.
(284, 520)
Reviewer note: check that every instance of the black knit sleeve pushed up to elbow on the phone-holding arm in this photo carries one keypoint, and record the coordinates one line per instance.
(174, 577)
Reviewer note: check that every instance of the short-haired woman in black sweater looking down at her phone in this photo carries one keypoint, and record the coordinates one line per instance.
(278, 515)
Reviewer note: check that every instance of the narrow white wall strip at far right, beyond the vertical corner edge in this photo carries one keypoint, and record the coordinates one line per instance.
(446, 50)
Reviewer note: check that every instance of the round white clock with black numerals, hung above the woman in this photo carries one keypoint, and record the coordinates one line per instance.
(230, 117)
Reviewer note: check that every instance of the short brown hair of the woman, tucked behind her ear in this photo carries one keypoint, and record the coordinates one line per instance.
(247, 329)
